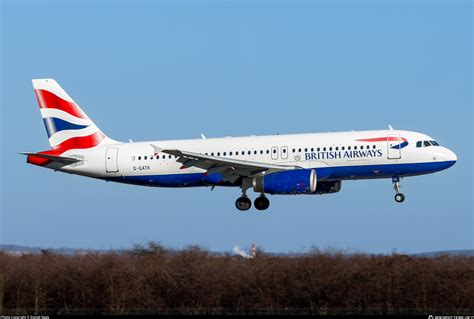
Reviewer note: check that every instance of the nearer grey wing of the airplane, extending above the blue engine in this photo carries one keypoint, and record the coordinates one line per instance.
(231, 169)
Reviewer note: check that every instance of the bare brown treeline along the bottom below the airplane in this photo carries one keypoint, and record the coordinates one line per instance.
(154, 280)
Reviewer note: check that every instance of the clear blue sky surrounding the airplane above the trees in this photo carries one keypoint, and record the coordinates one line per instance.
(175, 69)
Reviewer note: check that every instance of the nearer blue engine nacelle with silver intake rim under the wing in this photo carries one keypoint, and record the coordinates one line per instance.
(298, 181)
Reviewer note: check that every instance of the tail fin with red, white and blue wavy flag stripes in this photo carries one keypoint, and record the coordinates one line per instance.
(68, 127)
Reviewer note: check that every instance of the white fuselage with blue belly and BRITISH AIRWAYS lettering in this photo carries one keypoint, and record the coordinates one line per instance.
(335, 156)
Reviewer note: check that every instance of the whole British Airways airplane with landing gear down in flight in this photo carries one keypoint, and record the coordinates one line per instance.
(288, 164)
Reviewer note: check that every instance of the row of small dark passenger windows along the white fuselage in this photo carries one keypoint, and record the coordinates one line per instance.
(261, 152)
